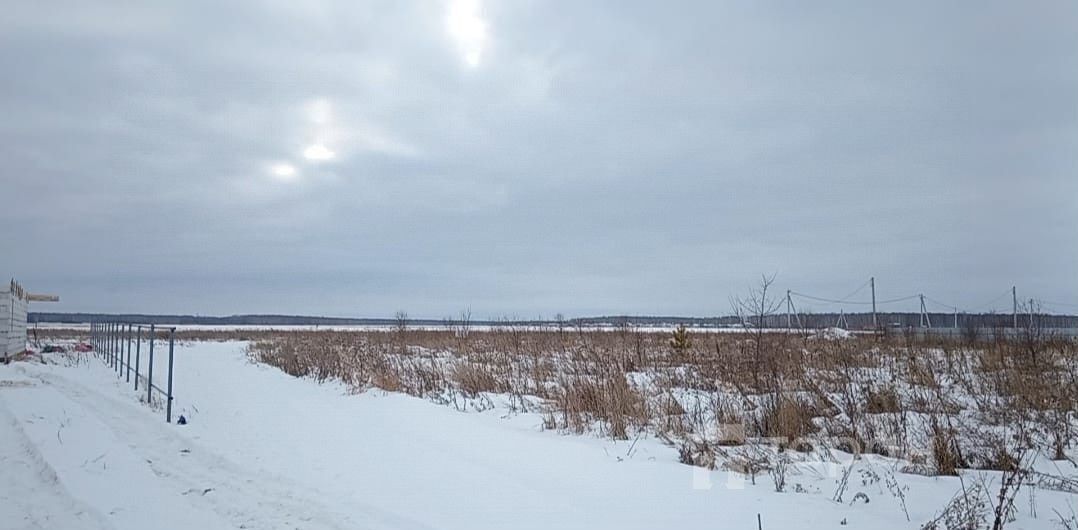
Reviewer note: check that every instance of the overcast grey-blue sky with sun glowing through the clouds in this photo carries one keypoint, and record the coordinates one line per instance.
(526, 159)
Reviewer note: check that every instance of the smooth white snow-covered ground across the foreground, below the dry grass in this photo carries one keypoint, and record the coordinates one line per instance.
(264, 450)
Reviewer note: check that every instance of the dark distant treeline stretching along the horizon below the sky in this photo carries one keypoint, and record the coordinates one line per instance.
(853, 322)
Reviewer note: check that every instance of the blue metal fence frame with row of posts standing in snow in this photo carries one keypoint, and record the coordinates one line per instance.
(115, 343)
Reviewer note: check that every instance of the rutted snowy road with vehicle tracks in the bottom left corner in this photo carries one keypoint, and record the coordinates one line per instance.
(104, 465)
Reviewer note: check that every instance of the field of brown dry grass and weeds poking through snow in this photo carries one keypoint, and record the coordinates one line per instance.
(946, 402)
